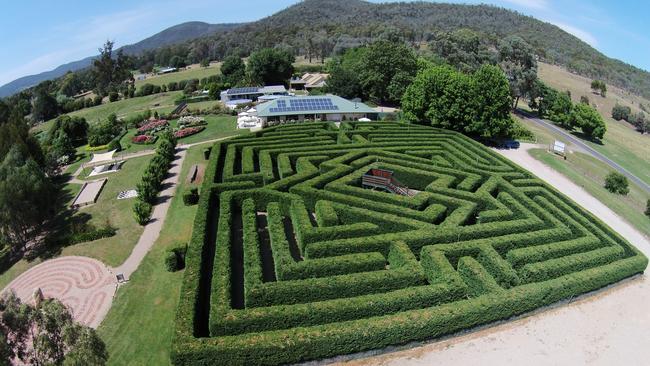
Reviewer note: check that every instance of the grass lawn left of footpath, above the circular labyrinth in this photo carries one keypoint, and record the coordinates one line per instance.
(111, 251)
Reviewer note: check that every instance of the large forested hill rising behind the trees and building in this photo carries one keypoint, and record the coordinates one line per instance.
(326, 26)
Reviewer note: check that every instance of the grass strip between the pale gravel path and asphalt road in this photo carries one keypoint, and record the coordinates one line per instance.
(589, 173)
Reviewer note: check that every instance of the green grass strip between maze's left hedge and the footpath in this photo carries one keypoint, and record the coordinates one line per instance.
(138, 329)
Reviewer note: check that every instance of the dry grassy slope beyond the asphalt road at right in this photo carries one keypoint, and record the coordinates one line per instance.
(622, 143)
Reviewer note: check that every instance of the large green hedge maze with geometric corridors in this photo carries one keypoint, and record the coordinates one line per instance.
(292, 260)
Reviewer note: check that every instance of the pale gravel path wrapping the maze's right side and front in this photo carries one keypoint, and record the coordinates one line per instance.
(609, 327)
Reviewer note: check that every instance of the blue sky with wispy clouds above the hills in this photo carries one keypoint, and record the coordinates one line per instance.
(39, 35)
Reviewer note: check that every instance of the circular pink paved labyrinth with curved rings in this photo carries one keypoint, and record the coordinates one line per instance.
(84, 284)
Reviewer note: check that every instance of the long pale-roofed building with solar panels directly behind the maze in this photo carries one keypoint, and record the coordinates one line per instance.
(313, 108)
